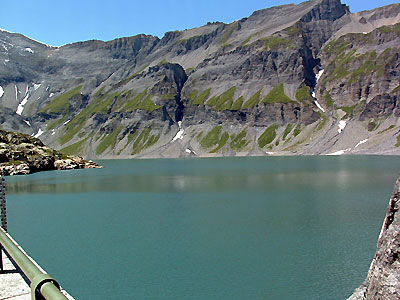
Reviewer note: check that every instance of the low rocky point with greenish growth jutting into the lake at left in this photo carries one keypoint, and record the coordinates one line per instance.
(21, 154)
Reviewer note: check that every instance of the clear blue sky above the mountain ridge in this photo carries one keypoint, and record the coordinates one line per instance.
(58, 22)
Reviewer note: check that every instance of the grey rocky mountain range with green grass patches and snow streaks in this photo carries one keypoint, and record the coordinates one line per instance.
(311, 78)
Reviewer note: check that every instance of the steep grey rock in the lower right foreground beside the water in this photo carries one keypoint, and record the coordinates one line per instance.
(383, 280)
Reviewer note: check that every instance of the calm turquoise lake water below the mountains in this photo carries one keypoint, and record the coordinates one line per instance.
(211, 228)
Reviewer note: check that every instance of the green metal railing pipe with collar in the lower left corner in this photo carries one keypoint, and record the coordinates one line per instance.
(43, 286)
